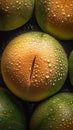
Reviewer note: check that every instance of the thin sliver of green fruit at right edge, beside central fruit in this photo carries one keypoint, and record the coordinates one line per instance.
(71, 67)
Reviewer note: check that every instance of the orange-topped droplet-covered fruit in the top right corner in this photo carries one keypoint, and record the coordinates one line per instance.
(55, 17)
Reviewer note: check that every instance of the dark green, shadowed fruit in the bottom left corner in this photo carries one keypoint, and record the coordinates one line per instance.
(12, 116)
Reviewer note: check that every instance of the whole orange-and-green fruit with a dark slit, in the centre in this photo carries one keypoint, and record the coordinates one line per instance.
(34, 66)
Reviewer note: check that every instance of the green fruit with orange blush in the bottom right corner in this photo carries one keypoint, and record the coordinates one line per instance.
(56, 113)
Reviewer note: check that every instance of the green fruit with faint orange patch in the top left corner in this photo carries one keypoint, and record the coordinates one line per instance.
(15, 13)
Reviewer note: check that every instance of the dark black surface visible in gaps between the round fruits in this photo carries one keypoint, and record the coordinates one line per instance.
(32, 25)
